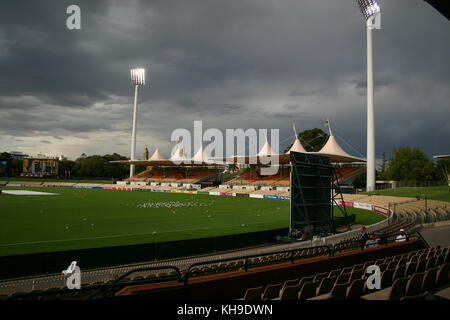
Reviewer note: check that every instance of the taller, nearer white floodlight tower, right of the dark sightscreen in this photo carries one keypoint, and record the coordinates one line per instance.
(371, 12)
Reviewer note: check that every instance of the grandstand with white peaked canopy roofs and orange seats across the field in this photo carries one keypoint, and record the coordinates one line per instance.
(200, 168)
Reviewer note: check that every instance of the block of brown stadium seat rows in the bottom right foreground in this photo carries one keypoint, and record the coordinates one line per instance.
(410, 275)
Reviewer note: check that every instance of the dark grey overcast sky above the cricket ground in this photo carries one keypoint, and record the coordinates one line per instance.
(232, 64)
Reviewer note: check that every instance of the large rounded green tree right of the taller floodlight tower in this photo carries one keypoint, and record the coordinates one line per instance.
(410, 164)
